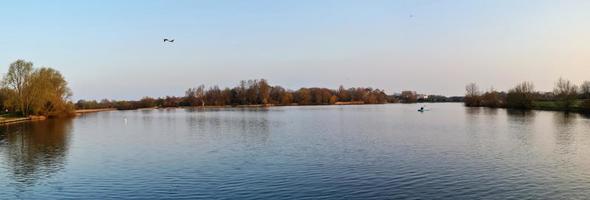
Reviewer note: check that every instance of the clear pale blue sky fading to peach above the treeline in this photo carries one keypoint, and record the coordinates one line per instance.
(114, 49)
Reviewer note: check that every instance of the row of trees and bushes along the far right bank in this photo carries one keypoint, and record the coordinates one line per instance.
(566, 96)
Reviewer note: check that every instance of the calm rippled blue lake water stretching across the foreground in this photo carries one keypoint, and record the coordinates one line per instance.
(317, 152)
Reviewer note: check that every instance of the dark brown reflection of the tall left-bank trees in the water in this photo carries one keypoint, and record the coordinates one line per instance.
(34, 150)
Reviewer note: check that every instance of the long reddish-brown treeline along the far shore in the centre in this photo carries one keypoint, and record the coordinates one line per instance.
(251, 92)
